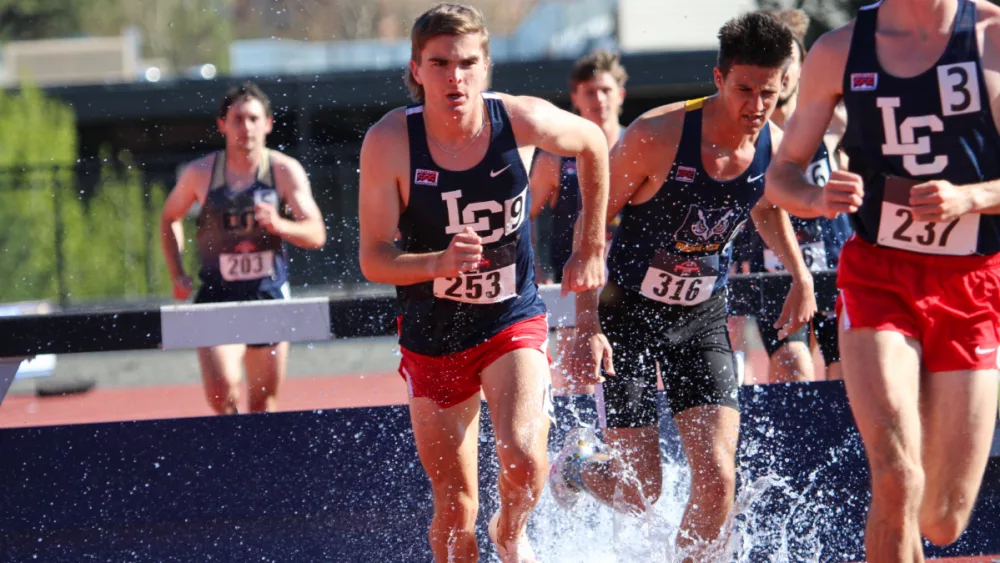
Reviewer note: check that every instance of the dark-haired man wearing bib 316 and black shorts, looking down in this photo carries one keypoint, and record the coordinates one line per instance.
(686, 177)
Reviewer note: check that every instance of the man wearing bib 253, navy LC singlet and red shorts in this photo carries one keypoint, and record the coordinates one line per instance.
(452, 174)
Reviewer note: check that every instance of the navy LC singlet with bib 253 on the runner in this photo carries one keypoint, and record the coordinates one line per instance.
(448, 315)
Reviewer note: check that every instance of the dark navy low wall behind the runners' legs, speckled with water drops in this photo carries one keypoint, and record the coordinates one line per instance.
(346, 485)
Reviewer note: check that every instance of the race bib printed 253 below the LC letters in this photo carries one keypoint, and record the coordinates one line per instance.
(493, 282)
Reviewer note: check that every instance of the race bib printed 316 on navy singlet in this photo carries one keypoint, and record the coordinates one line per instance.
(680, 280)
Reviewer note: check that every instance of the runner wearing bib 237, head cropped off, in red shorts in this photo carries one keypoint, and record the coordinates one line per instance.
(918, 307)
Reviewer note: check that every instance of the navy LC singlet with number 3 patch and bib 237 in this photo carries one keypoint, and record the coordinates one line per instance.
(903, 131)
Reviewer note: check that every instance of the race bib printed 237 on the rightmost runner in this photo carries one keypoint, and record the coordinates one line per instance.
(898, 227)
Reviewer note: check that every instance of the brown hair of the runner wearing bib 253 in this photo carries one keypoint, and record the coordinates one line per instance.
(443, 19)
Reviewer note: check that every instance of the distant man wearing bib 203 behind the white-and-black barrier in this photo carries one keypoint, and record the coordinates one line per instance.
(253, 200)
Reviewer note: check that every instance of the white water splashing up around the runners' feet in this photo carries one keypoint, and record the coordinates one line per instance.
(771, 522)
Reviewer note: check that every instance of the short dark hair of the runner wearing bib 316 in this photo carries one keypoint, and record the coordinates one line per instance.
(754, 39)
